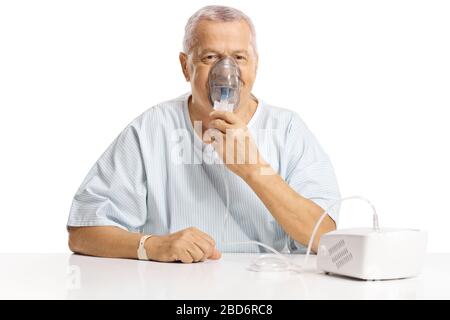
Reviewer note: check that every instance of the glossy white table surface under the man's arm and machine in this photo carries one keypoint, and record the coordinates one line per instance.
(67, 276)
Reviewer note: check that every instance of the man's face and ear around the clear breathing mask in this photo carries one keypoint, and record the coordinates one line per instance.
(214, 41)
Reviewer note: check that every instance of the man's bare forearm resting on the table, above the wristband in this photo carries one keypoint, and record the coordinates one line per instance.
(104, 241)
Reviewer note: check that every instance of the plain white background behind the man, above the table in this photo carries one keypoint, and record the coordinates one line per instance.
(370, 78)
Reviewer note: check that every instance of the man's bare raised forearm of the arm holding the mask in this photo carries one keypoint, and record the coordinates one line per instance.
(296, 214)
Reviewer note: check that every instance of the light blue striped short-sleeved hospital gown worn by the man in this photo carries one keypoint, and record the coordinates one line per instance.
(152, 179)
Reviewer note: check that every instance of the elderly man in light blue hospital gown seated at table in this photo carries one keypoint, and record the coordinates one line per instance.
(140, 201)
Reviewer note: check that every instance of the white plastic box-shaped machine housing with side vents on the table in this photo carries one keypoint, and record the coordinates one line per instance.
(369, 254)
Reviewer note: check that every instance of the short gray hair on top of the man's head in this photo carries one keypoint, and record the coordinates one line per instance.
(214, 13)
